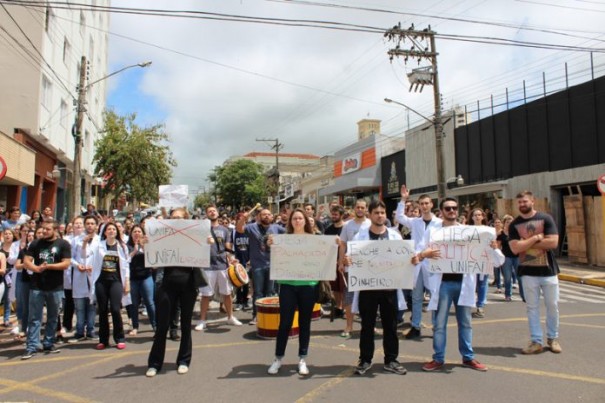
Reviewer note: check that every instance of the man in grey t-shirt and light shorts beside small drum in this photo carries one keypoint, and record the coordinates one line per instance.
(216, 274)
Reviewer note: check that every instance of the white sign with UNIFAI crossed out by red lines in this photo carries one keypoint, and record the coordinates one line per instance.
(177, 243)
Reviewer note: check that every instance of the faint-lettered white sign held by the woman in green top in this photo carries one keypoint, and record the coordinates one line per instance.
(303, 257)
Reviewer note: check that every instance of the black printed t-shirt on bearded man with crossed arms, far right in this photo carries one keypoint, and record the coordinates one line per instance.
(534, 262)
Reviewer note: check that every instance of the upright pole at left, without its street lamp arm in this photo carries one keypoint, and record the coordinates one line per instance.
(80, 110)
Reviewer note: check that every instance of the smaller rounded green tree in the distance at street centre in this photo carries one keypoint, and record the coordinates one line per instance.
(239, 183)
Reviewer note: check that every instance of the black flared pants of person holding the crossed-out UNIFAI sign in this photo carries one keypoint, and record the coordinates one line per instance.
(168, 296)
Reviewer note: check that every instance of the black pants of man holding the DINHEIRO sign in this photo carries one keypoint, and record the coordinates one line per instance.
(369, 302)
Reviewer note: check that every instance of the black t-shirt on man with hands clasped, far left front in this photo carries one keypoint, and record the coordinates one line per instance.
(51, 252)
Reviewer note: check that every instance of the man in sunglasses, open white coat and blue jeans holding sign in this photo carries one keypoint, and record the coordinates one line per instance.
(456, 286)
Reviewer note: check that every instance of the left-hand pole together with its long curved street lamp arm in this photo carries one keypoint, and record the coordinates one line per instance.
(81, 109)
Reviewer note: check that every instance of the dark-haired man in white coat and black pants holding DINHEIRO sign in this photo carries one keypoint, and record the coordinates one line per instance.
(389, 301)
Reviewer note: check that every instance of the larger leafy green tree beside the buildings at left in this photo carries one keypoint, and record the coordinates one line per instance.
(133, 159)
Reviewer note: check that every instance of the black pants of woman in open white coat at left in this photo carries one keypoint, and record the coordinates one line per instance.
(109, 298)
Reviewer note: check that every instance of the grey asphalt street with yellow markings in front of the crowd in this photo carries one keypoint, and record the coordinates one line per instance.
(230, 363)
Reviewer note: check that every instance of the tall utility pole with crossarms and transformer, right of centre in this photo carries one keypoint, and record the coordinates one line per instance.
(419, 50)
